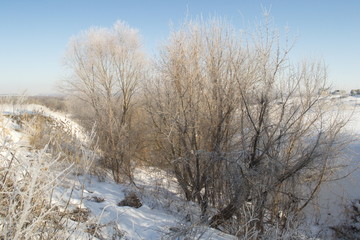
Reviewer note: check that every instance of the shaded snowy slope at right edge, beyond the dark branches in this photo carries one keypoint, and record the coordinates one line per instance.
(328, 208)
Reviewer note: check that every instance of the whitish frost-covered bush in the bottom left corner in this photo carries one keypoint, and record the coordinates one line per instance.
(27, 183)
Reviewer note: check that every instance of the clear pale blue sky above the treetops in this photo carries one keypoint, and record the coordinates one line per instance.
(34, 34)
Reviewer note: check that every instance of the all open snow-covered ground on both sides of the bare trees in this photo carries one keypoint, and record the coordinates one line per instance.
(163, 215)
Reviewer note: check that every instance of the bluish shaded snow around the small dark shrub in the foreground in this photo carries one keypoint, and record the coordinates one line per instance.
(150, 221)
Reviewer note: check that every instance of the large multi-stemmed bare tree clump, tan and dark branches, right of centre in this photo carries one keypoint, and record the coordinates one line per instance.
(238, 124)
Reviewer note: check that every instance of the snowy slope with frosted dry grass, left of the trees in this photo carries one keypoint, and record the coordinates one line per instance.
(76, 202)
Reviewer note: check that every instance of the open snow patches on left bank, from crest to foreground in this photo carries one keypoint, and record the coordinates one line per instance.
(91, 202)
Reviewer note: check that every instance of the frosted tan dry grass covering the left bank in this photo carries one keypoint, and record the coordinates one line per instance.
(29, 177)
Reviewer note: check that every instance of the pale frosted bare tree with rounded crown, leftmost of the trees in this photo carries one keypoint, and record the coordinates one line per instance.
(107, 66)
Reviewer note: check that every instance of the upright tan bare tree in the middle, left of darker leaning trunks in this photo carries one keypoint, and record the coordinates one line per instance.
(192, 104)
